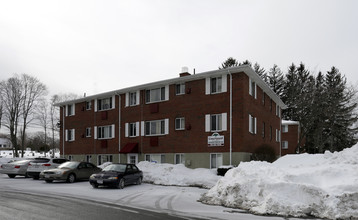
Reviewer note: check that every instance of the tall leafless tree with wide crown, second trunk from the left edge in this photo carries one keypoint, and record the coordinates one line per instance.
(33, 91)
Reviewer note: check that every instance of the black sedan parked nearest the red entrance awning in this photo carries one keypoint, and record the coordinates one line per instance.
(117, 175)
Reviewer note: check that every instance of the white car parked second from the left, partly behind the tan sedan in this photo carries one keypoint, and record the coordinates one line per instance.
(35, 167)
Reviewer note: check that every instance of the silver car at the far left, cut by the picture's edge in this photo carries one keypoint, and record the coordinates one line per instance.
(16, 168)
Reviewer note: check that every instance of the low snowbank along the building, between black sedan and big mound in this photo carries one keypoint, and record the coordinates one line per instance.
(177, 175)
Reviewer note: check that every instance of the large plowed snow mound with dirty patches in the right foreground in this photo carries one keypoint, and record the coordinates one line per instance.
(321, 185)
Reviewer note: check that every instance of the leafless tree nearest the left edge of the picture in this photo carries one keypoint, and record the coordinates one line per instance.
(12, 93)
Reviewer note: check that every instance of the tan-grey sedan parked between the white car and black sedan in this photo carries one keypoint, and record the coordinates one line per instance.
(70, 172)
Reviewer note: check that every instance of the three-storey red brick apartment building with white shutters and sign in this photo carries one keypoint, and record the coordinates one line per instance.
(201, 120)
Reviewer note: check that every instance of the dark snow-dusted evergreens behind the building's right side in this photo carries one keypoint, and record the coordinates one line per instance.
(324, 104)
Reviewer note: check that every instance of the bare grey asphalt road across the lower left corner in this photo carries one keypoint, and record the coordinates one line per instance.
(27, 206)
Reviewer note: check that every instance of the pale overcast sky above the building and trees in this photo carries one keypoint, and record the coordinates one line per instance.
(91, 47)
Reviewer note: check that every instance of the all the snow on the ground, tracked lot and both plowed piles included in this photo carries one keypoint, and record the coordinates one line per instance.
(320, 185)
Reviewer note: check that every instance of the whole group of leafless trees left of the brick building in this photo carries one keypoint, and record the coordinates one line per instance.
(24, 101)
